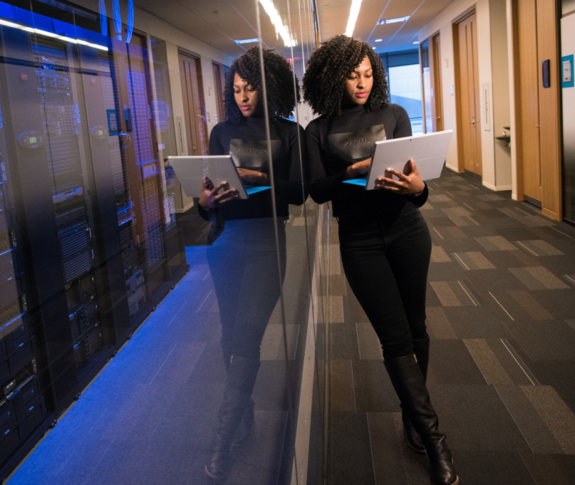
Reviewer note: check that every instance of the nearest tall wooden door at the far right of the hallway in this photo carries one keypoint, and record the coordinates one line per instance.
(528, 81)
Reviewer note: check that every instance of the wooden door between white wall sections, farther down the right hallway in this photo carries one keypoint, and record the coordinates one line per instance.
(467, 80)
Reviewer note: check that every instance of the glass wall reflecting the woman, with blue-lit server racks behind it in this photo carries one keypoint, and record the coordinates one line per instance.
(158, 246)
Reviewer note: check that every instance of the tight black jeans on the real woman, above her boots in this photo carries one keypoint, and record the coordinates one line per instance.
(386, 264)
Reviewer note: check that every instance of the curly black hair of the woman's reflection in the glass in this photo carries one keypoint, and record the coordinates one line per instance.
(279, 84)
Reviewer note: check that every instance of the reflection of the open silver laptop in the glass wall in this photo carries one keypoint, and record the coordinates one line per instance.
(191, 171)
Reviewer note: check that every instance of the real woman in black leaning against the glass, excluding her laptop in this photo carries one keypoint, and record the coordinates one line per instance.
(384, 241)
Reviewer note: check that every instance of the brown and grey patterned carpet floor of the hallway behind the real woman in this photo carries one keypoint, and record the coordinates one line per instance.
(501, 316)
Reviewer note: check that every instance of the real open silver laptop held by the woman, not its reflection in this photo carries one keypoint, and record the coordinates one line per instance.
(427, 151)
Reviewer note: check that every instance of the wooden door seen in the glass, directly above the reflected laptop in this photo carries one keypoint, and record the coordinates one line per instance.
(194, 106)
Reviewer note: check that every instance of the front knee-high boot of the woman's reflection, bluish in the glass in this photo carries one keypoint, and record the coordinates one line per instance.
(242, 376)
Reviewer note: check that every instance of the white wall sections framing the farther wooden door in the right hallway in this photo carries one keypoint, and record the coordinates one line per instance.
(496, 171)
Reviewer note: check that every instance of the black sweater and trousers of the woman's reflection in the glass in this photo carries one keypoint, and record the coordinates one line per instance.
(243, 260)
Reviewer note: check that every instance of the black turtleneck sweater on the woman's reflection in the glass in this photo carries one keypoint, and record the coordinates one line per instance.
(247, 143)
